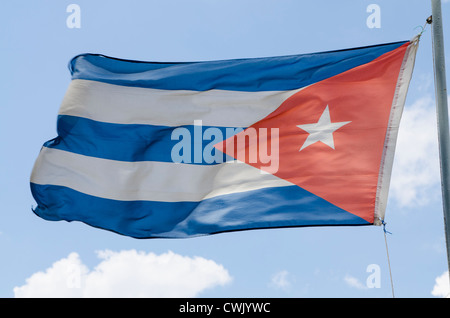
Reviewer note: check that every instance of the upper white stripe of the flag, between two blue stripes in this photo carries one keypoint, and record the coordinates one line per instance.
(135, 105)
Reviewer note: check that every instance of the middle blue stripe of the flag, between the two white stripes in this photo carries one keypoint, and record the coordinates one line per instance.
(135, 142)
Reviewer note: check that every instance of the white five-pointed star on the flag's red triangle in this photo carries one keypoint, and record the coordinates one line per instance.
(322, 130)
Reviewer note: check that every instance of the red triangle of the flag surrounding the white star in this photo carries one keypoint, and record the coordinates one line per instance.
(346, 176)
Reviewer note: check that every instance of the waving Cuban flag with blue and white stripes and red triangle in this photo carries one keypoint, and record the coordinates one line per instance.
(175, 150)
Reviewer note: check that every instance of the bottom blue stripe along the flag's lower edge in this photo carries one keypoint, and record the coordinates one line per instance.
(264, 208)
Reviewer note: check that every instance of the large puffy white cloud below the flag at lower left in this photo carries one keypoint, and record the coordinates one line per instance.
(126, 274)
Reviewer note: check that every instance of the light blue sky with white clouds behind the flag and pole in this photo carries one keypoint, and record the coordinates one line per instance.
(42, 258)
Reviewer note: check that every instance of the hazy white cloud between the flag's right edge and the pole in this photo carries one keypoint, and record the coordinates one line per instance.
(415, 175)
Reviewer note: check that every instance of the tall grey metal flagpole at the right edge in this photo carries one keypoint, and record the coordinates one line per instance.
(442, 114)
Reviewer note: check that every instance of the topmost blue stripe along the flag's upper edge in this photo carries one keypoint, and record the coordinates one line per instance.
(256, 74)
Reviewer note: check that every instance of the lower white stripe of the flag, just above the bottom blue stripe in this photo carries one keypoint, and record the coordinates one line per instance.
(146, 180)
